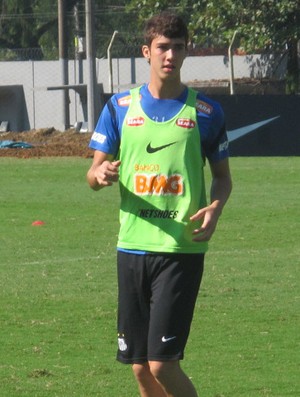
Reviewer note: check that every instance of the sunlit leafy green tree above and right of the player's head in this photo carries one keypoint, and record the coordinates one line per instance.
(262, 25)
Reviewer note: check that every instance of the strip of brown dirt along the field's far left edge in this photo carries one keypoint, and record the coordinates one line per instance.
(48, 142)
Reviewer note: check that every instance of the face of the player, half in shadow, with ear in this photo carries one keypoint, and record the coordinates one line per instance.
(166, 56)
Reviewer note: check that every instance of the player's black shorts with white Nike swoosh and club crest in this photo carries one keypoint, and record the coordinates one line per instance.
(157, 296)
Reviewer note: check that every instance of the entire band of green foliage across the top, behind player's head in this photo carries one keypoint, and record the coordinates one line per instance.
(262, 25)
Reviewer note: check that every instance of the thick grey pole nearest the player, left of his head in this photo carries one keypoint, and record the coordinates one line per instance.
(90, 54)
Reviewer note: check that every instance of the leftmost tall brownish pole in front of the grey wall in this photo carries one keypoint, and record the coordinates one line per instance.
(63, 59)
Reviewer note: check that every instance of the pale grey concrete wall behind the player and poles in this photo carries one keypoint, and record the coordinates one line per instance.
(44, 107)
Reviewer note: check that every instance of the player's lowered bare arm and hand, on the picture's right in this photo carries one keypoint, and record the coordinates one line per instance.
(221, 187)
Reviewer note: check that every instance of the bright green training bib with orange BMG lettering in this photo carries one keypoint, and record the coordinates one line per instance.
(161, 180)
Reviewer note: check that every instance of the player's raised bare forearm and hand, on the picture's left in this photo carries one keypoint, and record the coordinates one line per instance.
(103, 171)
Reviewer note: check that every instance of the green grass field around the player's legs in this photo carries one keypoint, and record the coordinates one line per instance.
(58, 285)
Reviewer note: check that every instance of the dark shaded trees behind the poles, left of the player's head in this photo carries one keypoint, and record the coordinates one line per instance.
(28, 24)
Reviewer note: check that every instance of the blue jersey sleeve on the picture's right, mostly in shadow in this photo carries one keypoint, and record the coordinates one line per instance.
(213, 134)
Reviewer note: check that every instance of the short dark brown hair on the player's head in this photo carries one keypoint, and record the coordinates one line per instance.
(165, 24)
